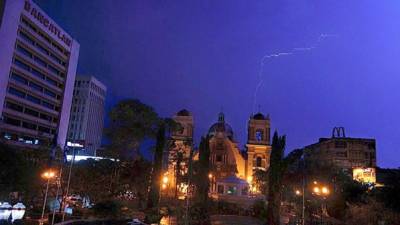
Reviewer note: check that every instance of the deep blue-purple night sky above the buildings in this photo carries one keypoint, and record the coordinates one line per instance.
(205, 55)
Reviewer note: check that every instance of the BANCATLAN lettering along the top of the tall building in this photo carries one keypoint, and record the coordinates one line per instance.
(47, 23)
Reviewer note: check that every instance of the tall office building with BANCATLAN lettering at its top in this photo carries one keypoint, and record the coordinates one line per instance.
(38, 62)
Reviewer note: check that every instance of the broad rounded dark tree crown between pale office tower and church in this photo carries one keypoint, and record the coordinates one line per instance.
(131, 122)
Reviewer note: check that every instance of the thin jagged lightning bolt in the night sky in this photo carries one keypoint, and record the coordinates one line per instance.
(268, 57)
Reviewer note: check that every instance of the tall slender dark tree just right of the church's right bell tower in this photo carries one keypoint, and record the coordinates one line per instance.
(276, 171)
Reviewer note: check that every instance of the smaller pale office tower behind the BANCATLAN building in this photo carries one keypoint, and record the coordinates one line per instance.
(87, 114)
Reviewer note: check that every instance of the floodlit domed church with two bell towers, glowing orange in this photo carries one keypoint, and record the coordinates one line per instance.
(232, 169)
